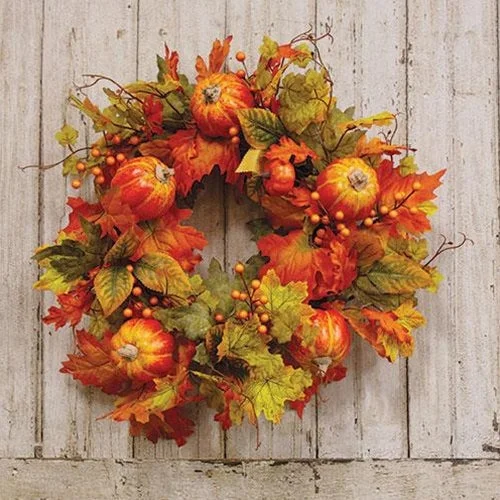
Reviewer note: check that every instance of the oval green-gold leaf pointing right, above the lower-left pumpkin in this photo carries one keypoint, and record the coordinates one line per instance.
(163, 274)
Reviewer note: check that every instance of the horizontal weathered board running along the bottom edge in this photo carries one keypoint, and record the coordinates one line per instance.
(261, 480)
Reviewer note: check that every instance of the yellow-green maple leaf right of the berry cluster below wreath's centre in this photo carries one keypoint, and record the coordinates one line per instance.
(285, 305)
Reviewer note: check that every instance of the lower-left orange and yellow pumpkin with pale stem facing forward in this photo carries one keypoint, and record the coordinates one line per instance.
(143, 349)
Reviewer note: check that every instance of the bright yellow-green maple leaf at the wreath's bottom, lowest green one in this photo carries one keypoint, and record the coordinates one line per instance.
(269, 393)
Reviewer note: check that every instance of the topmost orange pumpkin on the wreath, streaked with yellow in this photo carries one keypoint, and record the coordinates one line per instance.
(215, 101)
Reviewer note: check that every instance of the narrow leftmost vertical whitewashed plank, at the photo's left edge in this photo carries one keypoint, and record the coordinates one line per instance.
(20, 58)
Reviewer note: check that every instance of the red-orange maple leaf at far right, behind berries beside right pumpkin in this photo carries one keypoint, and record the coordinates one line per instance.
(391, 182)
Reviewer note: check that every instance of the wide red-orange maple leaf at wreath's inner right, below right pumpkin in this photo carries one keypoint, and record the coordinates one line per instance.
(325, 270)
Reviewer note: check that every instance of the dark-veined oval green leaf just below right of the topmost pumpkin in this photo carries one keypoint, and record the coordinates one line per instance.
(260, 127)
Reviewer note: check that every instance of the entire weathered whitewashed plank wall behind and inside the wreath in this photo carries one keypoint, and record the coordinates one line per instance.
(435, 62)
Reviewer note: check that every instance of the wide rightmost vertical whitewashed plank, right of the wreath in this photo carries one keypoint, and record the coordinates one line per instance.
(453, 103)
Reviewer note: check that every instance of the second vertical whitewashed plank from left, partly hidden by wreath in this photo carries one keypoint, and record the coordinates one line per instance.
(73, 45)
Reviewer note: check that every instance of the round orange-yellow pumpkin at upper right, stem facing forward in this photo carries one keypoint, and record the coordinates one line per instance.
(348, 185)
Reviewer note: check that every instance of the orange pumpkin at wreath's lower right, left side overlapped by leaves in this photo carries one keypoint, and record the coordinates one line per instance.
(333, 339)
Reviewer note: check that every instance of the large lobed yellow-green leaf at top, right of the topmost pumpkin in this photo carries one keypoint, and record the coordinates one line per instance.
(304, 100)
